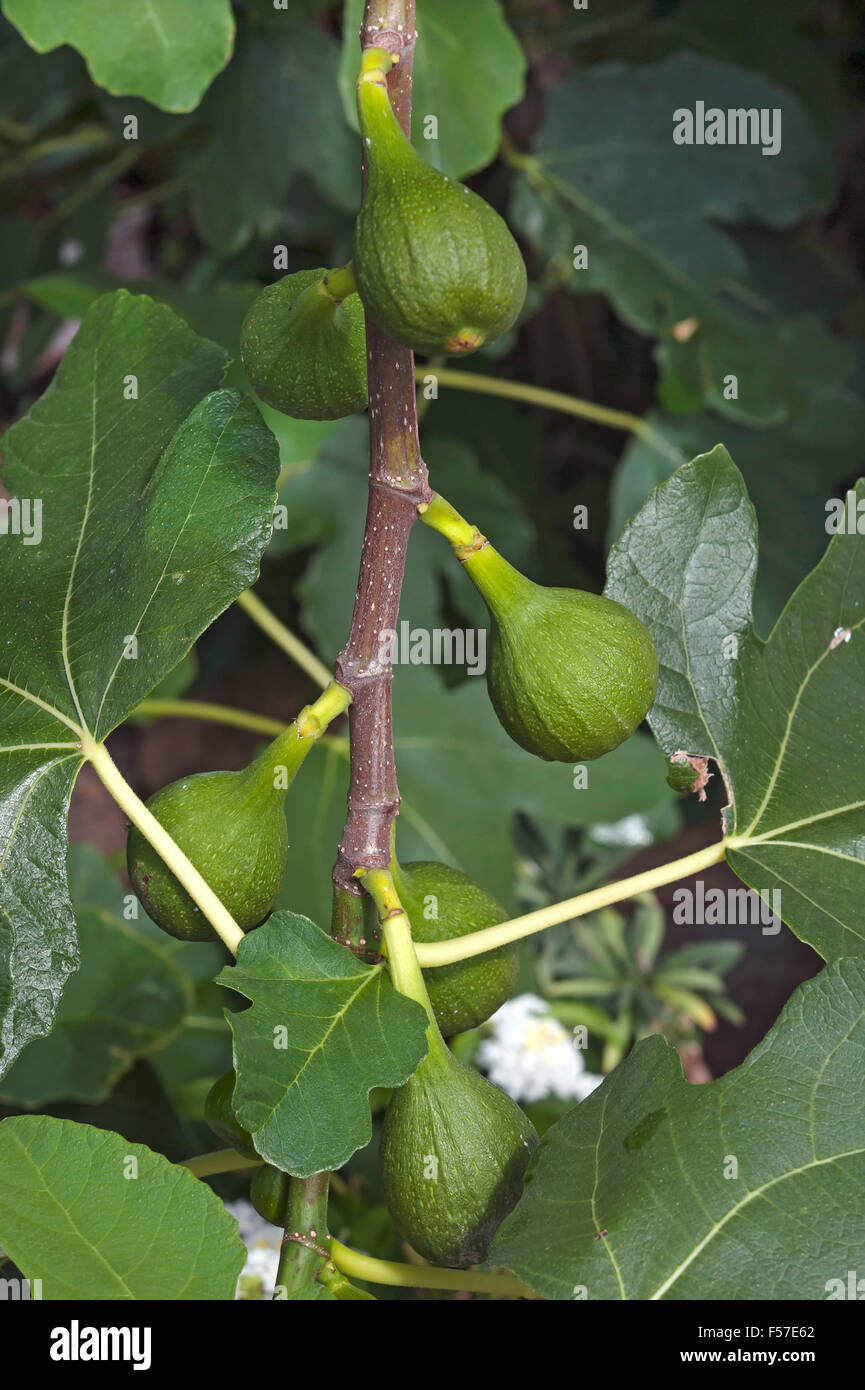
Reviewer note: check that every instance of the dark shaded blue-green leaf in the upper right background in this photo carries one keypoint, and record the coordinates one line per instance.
(607, 174)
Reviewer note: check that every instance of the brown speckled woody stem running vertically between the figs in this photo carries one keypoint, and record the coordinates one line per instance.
(398, 486)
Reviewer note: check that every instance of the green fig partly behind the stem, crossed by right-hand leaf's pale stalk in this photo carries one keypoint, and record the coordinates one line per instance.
(442, 904)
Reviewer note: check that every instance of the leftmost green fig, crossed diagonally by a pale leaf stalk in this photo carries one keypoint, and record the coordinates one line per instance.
(233, 829)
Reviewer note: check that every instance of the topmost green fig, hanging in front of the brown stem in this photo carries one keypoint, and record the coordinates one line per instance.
(436, 266)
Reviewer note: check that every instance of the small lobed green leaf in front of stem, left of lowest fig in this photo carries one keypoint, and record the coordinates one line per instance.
(325, 1029)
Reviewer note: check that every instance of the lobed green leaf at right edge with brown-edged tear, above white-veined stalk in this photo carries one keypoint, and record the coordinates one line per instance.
(784, 717)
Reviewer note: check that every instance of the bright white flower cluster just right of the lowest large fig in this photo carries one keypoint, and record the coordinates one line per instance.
(532, 1056)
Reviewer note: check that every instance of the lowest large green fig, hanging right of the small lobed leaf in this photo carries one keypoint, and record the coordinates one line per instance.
(454, 1154)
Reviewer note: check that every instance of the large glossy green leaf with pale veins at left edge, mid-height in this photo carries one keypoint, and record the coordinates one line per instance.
(134, 547)
